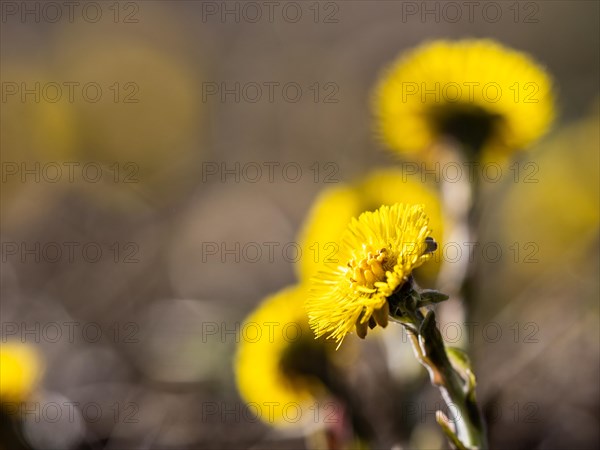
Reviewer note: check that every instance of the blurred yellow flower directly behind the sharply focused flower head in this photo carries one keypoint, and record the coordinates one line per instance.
(335, 207)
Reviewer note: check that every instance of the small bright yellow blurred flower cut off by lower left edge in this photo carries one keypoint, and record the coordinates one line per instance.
(20, 368)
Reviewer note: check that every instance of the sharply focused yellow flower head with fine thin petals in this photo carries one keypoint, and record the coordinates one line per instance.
(379, 251)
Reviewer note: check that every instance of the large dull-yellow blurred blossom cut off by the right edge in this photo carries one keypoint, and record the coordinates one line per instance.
(550, 213)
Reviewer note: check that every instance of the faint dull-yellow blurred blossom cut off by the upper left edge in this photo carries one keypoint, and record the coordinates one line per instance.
(37, 137)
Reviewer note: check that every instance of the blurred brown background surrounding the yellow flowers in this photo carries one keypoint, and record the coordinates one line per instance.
(156, 129)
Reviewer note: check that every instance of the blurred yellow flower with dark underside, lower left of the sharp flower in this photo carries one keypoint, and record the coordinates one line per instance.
(278, 360)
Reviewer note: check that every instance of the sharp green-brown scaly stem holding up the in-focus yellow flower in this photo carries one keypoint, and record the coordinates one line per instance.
(448, 369)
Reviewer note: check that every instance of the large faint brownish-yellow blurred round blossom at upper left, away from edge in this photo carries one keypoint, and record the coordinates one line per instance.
(142, 129)
